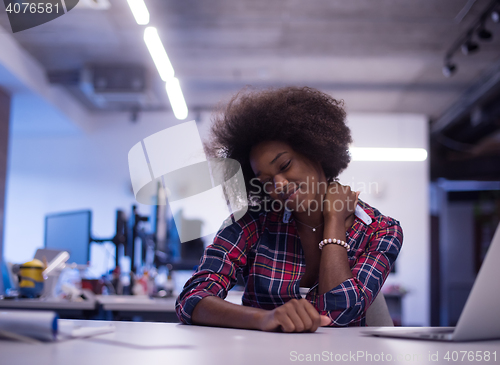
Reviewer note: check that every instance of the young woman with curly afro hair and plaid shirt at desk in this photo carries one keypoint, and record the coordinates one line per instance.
(300, 230)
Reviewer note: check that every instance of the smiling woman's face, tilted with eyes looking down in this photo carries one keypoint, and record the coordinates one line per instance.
(288, 176)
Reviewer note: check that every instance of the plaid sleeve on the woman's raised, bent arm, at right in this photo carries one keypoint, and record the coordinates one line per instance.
(347, 302)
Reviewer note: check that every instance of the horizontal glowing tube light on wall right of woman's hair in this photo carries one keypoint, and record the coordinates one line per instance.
(388, 154)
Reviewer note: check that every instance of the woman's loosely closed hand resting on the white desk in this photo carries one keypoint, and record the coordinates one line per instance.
(296, 315)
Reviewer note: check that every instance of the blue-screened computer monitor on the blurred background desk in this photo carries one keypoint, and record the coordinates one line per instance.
(70, 232)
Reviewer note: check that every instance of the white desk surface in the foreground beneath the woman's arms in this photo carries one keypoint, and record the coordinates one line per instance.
(162, 343)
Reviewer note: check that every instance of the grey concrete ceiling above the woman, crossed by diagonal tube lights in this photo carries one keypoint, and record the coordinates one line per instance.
(379, 56)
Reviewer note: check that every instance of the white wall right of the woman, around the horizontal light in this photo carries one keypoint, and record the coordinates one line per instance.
(400, 190)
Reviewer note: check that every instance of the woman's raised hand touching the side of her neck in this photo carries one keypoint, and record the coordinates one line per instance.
(339, 202)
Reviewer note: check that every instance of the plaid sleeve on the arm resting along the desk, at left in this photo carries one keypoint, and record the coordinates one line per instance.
(219, 264)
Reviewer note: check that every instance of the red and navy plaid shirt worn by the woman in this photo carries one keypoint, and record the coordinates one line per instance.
(269, 254)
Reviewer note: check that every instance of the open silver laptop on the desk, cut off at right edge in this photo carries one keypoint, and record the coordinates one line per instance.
(480, 318)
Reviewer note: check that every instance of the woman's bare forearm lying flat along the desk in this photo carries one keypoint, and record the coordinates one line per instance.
(214, 311)
